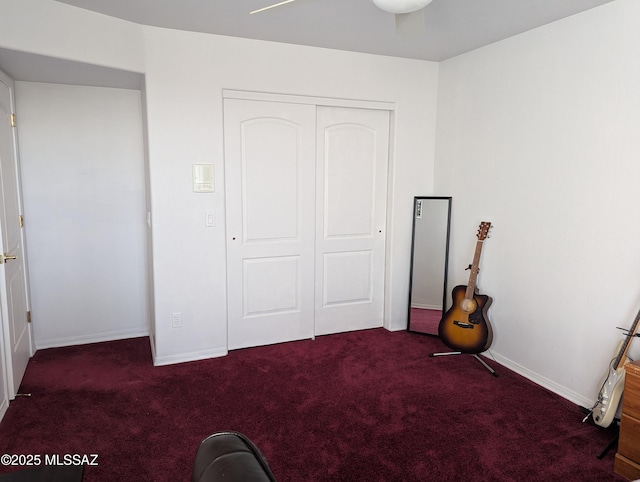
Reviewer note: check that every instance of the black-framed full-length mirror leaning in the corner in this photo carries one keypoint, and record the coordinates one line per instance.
(429, 262)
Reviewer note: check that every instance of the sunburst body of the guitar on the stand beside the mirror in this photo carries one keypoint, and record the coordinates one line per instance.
(465, 326)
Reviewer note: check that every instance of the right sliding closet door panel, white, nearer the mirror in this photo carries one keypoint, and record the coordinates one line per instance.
(351, 180)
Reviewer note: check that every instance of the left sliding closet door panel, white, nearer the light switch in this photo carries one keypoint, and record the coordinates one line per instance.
(269, 172)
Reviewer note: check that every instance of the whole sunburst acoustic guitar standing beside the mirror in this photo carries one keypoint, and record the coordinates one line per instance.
(465, 326)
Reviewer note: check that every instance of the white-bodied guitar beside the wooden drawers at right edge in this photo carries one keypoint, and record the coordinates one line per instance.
(604, 411)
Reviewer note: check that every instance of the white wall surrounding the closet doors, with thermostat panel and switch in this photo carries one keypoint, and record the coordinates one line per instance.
(184, 77)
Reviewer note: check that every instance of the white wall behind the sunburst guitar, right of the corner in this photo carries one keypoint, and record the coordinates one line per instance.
(539, 134)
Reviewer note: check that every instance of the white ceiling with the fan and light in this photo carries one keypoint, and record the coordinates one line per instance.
(452, 26)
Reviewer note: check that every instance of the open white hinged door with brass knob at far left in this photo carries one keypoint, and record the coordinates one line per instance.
(13, 296)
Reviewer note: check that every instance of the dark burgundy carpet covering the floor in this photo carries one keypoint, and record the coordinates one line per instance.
(362, 406)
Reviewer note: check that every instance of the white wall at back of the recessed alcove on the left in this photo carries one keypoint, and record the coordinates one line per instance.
(84, 204)
